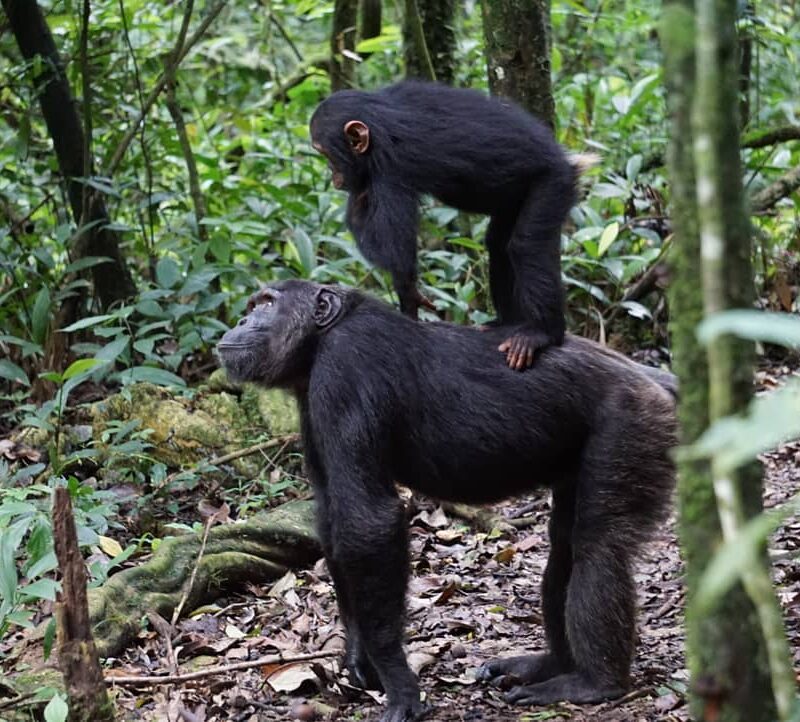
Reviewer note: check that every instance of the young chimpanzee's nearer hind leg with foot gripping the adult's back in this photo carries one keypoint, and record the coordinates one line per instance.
(535, 254)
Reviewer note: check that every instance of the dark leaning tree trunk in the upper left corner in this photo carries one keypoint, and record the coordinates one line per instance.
(113, 280)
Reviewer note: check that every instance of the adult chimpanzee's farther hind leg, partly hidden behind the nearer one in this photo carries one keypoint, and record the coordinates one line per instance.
(528, 669)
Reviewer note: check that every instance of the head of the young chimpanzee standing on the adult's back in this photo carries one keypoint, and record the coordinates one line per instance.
(340, 130)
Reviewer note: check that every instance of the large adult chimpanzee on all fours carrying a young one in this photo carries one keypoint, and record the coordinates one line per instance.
(384, 399)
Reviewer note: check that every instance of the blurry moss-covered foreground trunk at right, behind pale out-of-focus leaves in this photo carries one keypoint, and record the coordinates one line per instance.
(725, 649)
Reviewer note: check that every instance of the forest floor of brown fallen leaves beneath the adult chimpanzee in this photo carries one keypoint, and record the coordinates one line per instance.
(472, 596)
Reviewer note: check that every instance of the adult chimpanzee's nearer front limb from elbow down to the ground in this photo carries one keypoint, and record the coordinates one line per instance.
(369, 549)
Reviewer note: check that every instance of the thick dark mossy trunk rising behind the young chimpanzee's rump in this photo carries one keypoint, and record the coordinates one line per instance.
(517, 34)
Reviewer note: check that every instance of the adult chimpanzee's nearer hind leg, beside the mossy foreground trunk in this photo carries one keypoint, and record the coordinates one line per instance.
(600, 601)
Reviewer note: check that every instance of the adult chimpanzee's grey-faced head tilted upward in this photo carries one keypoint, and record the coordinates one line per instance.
(274, 344)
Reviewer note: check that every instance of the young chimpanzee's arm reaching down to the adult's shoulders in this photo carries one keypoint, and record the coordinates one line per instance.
(385, 219)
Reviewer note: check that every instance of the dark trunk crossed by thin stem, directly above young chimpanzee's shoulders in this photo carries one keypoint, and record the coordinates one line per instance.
(438, 29)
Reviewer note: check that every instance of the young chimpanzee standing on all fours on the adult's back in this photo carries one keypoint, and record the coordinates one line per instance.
(474, 153)
